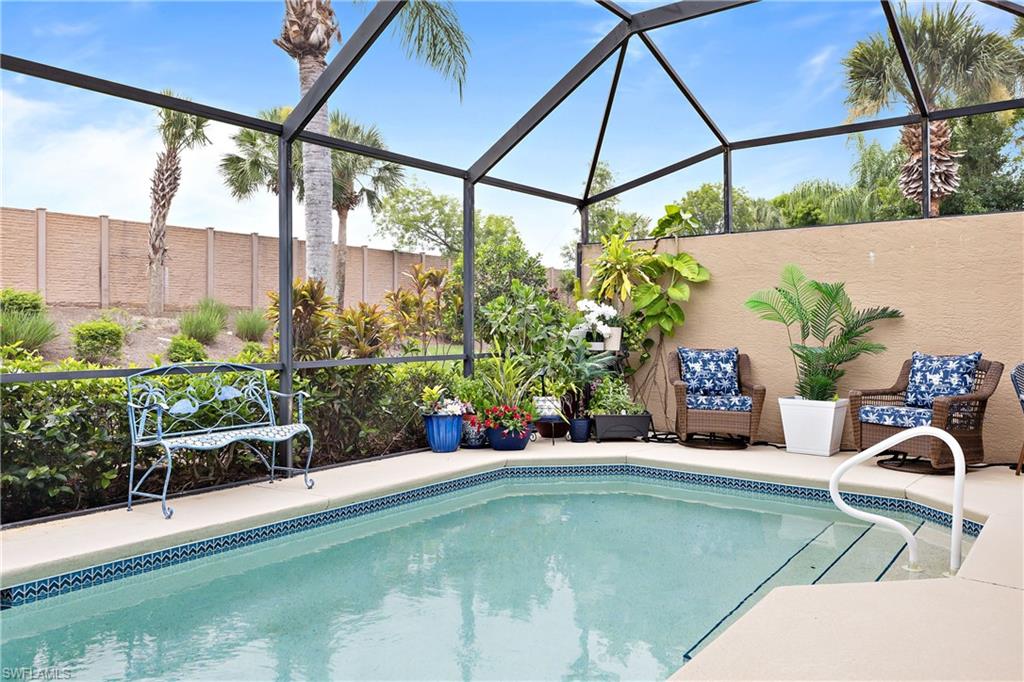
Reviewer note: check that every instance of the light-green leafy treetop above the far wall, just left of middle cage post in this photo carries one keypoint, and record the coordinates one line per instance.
(417, 220)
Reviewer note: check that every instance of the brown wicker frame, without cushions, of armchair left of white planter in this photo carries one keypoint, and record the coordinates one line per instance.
(691, 421)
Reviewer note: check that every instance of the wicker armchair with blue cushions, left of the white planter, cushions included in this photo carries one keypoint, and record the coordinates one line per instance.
(714, 394)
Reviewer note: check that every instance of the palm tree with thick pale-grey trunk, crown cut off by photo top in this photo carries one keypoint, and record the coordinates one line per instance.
(430, 32)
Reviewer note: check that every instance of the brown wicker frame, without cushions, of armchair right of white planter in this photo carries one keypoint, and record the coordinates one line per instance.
(963, 416)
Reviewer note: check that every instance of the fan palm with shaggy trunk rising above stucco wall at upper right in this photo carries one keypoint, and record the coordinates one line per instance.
(958, 63)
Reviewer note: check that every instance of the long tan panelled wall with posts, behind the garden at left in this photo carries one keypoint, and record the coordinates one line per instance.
(102, 262)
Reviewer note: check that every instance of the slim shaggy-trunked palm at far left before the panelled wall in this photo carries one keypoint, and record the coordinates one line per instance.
(179, 133)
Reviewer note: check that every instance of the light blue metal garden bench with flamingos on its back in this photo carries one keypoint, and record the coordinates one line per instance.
(206, 406)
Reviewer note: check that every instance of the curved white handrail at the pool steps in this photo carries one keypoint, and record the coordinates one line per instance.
(960, 472)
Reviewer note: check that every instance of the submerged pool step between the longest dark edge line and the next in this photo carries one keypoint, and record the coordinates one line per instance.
(803, 569)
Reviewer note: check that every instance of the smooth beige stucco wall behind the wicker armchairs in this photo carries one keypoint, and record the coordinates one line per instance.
(960, 282)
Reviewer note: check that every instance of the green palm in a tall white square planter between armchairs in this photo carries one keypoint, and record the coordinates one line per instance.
(830, 333)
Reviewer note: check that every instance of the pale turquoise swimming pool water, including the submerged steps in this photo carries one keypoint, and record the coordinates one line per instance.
(585, 579)
